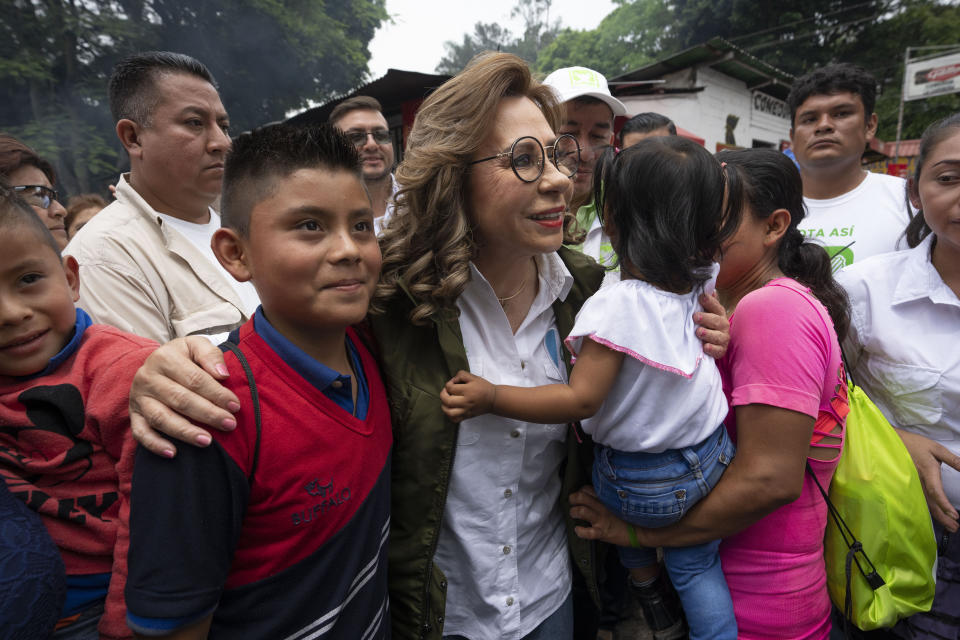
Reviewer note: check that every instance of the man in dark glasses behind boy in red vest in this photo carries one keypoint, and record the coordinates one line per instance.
(361, 119)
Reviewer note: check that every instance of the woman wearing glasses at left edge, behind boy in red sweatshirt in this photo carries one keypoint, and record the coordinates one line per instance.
(32, 178)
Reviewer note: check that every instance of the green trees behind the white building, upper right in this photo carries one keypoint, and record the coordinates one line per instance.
(799, 36)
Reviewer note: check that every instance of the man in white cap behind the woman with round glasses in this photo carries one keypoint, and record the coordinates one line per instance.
(590, 110)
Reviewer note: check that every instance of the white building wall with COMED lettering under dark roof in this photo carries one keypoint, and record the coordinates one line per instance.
(704, 113)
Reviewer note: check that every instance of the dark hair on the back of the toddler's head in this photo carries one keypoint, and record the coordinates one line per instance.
(664, 197)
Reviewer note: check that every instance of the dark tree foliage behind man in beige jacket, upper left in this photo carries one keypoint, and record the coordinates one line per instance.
(269, 56)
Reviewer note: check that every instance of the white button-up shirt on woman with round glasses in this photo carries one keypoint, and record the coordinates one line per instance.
(502, 545)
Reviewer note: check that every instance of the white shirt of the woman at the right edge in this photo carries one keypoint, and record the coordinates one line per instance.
(904, 346)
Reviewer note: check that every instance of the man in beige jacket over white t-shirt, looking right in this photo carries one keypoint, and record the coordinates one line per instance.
(146, 265)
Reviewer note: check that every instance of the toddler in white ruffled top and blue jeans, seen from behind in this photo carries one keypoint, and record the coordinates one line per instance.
(640, 383)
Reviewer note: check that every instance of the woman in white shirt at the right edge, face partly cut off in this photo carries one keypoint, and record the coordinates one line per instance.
(903, 348)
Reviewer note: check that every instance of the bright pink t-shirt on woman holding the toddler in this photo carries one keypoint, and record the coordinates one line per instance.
(784, 353)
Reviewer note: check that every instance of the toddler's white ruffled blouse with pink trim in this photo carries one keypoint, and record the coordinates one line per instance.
(668, 394)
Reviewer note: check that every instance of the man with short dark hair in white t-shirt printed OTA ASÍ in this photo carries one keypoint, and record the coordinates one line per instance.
(854, 213)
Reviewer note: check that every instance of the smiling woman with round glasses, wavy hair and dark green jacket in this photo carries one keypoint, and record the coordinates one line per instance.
(473, 278)
